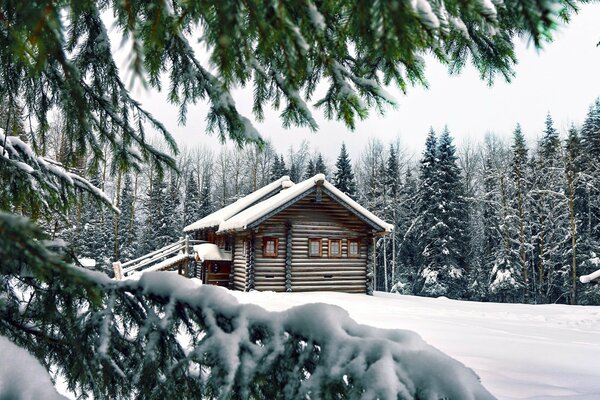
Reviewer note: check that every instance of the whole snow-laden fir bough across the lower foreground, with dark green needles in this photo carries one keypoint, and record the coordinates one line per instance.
(166, 337)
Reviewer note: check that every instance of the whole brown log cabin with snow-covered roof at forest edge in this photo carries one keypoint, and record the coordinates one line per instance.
(290, 237)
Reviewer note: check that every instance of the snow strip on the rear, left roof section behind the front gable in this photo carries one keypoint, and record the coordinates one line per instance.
(225, 213)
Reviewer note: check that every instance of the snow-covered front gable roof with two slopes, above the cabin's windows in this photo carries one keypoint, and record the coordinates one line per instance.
(256, 214)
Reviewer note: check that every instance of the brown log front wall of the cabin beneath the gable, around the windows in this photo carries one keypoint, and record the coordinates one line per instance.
(310, 219)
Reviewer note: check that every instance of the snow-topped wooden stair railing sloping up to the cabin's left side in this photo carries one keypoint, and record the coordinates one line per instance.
(182, 247)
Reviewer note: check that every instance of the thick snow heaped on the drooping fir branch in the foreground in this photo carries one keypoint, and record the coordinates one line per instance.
(310, 351)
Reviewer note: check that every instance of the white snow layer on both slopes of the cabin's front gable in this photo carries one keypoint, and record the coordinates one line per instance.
(252, 214)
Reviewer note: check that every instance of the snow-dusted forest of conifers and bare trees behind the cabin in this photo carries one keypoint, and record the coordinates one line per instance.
(498, 220)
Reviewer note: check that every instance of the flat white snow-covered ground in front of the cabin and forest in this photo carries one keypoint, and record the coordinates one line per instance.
(519, 351)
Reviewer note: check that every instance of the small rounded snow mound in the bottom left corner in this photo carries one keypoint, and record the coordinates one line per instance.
(22, 377)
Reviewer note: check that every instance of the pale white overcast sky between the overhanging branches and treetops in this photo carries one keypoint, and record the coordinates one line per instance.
(563, 79)
